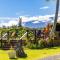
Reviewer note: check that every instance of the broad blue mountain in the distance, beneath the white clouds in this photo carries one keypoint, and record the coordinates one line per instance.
(35, 24)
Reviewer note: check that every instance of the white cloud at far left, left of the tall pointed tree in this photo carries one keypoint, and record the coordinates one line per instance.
(11, 21)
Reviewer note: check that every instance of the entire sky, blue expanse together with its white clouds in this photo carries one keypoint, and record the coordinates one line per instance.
(11, 10)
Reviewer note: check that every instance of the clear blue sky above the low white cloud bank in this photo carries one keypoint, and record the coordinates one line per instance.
(15, 8)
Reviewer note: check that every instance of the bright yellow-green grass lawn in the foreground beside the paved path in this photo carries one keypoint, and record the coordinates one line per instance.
(32, 54)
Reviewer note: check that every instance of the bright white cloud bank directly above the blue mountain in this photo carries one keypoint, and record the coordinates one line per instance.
(39, 18)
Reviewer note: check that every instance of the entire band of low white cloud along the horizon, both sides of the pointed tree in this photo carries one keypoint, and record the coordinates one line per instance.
(14, 21)
